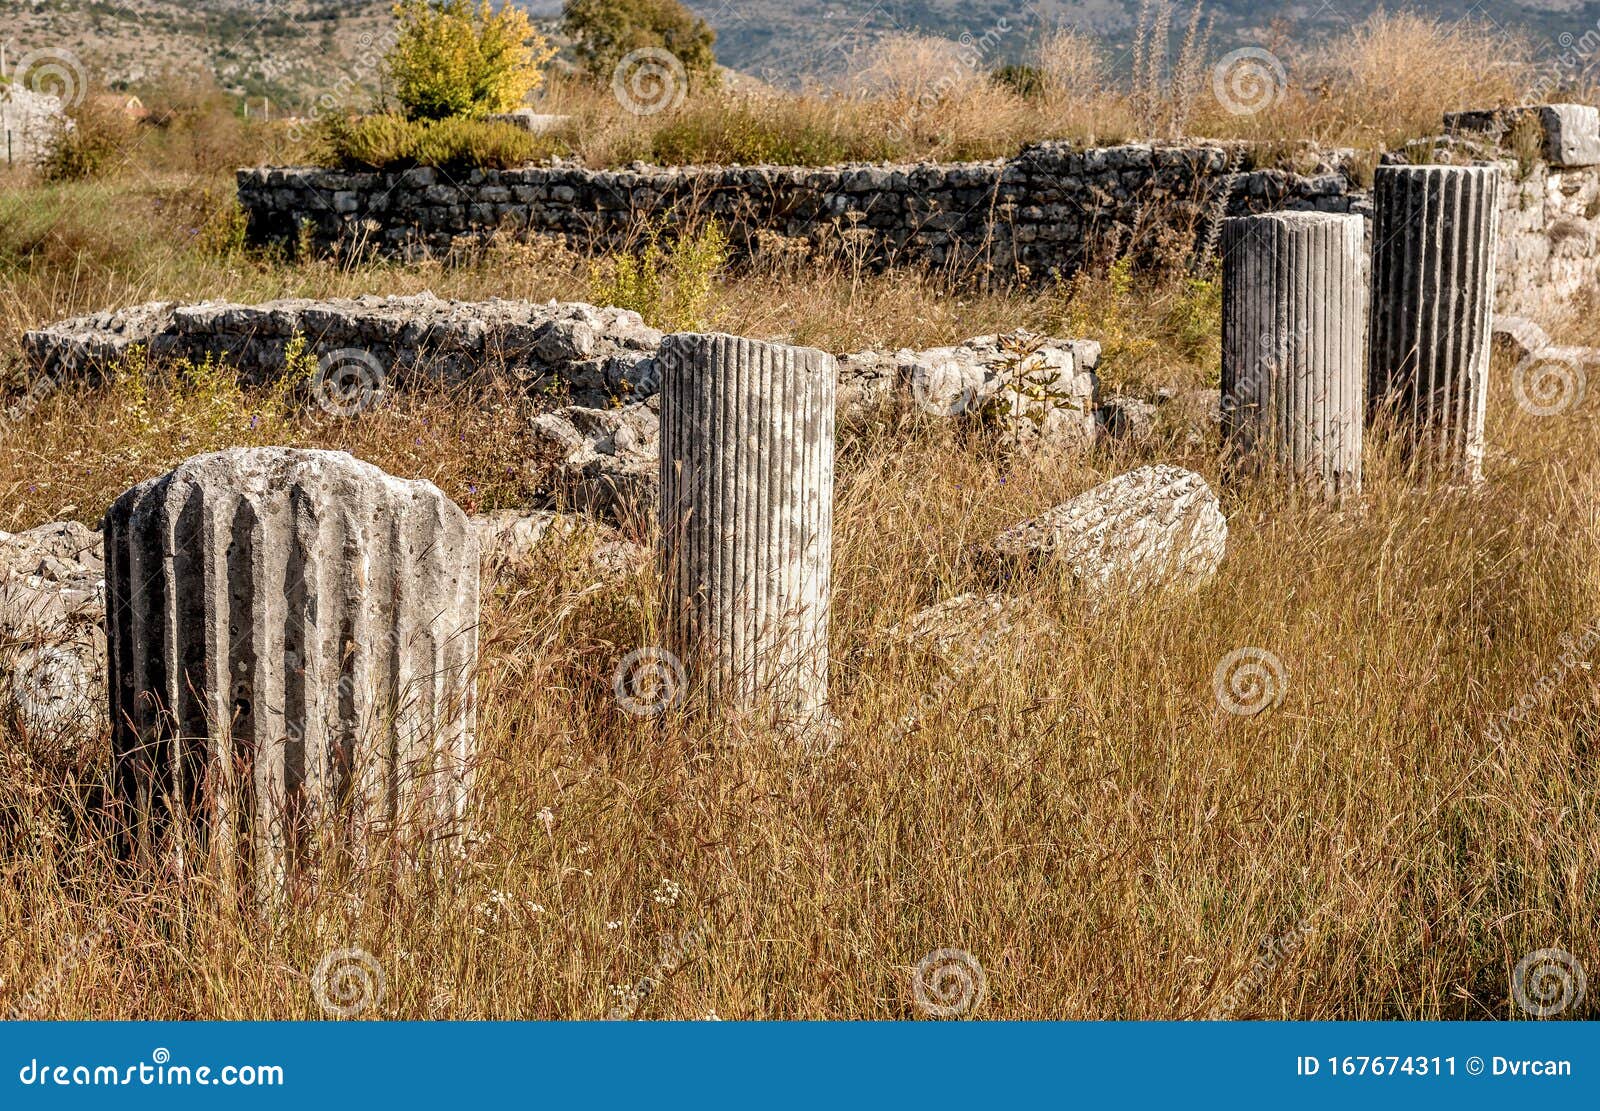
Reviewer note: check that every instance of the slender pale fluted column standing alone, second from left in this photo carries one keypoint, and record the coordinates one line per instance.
(748, 518)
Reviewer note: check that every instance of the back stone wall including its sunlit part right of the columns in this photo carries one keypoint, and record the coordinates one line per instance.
(1038, 217)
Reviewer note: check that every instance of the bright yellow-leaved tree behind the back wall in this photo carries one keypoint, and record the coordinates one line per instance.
(452, 58)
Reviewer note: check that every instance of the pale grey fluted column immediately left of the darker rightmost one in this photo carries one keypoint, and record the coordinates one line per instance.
(1294, 343)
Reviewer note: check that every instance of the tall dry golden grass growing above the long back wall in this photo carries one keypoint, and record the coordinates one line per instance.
(1386, 82)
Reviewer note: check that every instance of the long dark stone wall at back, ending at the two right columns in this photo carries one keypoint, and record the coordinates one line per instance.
(1042, 214)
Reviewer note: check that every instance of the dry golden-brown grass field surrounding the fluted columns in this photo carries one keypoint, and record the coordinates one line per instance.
(1074, 808)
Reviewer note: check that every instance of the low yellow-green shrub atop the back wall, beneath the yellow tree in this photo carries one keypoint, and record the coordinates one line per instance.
(394, 143)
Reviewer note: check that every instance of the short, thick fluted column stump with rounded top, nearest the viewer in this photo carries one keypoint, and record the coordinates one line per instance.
(292, 641)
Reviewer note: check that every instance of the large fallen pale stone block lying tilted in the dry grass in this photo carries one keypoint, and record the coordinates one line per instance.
(1151, 527)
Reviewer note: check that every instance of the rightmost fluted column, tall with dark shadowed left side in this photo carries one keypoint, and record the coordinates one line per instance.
(1433, 295)
